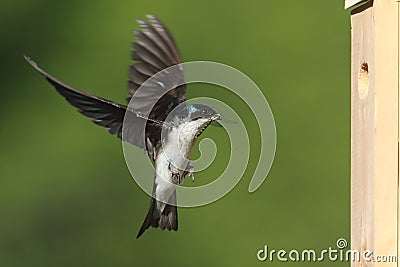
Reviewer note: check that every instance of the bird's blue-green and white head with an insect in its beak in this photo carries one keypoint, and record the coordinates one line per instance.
(201, 116)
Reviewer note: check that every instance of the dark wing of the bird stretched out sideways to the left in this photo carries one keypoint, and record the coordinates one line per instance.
(101, 111)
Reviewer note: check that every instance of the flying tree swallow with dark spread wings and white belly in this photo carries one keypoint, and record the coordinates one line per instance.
(168, 139)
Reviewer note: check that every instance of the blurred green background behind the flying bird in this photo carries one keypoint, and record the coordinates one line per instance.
(66, 195)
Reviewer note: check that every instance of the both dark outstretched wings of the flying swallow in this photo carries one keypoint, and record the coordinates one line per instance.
(154, 51)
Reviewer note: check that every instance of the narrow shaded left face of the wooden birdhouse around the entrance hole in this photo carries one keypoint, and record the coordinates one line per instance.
(362, 133)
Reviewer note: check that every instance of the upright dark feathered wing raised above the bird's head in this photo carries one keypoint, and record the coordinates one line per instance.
(154, 51)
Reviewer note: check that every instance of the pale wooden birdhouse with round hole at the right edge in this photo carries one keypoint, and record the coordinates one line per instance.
(375, 128)
